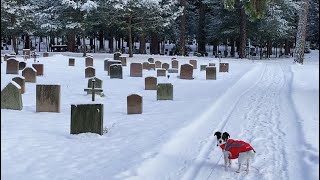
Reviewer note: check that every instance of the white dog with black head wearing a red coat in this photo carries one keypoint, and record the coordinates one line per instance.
(234, 149)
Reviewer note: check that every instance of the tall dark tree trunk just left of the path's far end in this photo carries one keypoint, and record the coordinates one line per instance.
(243, 34)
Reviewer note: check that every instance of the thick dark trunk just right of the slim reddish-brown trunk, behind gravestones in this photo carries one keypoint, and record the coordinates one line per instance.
(201, 29)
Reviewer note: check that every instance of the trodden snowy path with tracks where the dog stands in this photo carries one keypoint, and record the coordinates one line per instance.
(247, 116)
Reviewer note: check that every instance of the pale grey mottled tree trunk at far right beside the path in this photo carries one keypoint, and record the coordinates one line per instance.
(301, 33)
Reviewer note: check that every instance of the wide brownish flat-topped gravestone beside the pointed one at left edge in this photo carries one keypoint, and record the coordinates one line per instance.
(48, 98)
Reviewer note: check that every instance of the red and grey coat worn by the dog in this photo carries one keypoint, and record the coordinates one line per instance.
(235, 147)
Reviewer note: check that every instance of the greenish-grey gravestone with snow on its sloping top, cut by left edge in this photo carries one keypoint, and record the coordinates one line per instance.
(11, 97)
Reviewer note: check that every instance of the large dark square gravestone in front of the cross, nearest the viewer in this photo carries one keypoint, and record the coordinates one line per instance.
(86, 118)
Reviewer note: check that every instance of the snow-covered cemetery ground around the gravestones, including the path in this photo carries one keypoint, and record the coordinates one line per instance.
(272, 104)
